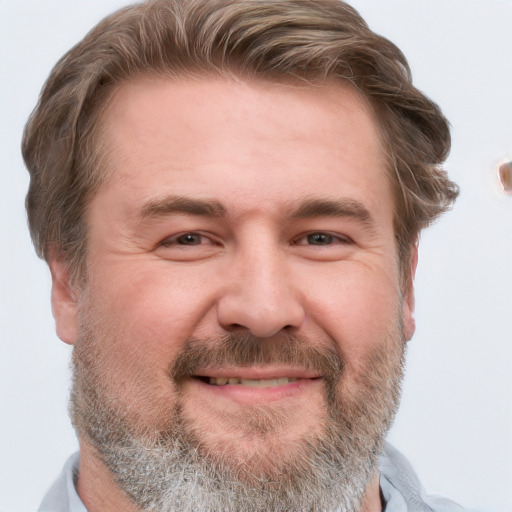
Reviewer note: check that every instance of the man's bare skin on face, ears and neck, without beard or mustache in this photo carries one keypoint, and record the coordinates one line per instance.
(259, 151)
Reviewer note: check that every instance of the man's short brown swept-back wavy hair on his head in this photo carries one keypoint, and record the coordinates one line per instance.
(304, 40)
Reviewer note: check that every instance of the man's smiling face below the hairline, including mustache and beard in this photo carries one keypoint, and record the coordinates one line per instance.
(242, 301)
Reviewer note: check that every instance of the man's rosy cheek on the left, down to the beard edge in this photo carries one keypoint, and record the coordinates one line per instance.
(136, 323)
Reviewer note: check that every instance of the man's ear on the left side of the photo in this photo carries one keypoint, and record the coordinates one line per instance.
(64, 301)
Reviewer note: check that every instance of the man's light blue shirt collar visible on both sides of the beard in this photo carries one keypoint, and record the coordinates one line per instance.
(400, 487)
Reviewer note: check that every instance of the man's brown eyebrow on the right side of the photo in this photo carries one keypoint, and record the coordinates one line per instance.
(345, 207)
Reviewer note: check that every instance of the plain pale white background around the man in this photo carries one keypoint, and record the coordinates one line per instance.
(455, 423)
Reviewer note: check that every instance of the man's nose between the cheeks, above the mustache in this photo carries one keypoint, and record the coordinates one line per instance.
(260, 296)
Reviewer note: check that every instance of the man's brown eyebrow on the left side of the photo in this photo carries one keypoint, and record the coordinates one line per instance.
(185, 205)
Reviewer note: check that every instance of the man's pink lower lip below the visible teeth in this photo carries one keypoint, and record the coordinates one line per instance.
(246, 395)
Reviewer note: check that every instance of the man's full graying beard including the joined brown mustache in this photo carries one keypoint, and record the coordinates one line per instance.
(166, 471)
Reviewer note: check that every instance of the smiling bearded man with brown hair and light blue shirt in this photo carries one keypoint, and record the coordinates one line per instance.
(229, 195)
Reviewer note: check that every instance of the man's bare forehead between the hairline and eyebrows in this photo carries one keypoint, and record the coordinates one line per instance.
(285, 139)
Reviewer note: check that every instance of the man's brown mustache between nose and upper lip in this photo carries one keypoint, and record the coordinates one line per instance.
(244, 350)
